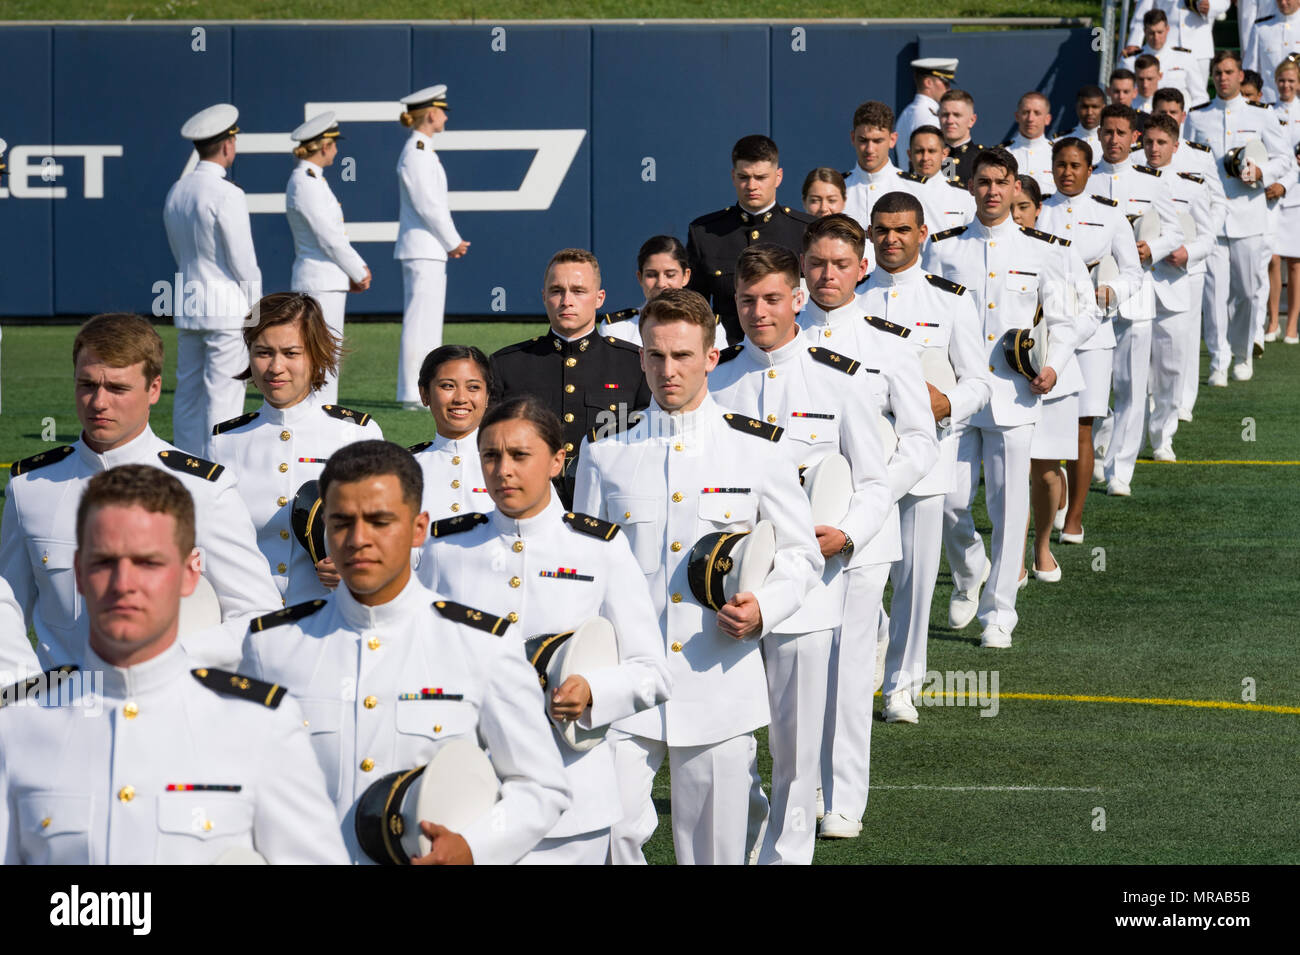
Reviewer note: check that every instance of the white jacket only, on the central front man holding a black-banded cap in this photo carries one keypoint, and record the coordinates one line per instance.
(669, 481)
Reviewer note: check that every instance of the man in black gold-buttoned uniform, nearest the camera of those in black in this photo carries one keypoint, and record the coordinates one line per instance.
(592, 381)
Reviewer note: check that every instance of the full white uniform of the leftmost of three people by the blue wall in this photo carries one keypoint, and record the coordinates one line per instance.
(211, 238)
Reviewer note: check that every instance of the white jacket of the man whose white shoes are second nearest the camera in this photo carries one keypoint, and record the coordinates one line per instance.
(938, 318)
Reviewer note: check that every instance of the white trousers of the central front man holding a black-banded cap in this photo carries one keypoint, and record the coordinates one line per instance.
(710, 798)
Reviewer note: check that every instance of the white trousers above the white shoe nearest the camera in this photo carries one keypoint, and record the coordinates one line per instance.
(847, 740)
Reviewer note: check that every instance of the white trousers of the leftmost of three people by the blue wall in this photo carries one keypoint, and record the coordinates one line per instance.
(207, 392)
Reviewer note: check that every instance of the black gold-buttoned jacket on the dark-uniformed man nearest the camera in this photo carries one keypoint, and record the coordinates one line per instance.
(595, 383)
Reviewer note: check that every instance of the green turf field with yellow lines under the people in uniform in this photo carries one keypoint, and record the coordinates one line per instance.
(1198, 594)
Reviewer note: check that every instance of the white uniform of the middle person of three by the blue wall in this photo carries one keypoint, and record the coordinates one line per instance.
(324, 261)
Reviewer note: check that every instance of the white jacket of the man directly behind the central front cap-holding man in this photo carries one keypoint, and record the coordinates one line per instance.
(825, 410)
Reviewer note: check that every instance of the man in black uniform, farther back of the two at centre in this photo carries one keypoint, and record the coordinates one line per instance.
(716, 241)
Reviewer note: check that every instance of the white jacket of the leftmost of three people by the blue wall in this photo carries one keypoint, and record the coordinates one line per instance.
(211, 238)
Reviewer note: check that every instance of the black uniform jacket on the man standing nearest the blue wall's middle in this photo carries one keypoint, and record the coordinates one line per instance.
(716, 242)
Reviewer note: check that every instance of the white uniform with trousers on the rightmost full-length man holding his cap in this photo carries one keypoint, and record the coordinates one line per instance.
(1224, 125)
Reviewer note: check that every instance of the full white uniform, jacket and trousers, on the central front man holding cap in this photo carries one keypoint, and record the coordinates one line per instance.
(670, 480)
